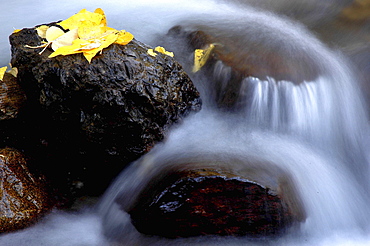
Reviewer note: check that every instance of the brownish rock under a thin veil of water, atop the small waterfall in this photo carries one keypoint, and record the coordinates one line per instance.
(238, 55)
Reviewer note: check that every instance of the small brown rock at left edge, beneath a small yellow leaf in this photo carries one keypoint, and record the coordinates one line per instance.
(11, 97)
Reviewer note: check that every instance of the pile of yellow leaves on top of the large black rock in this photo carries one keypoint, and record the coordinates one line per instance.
(87, 33)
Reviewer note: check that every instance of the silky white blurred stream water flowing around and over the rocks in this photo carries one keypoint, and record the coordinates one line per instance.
(316, 130)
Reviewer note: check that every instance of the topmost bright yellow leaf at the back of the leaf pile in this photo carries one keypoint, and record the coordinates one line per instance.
(84, 15)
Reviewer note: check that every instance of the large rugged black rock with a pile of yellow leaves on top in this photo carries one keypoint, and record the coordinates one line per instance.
(93, 119)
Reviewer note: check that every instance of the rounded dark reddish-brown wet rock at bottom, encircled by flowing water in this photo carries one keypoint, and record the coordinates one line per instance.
(217, 201)
